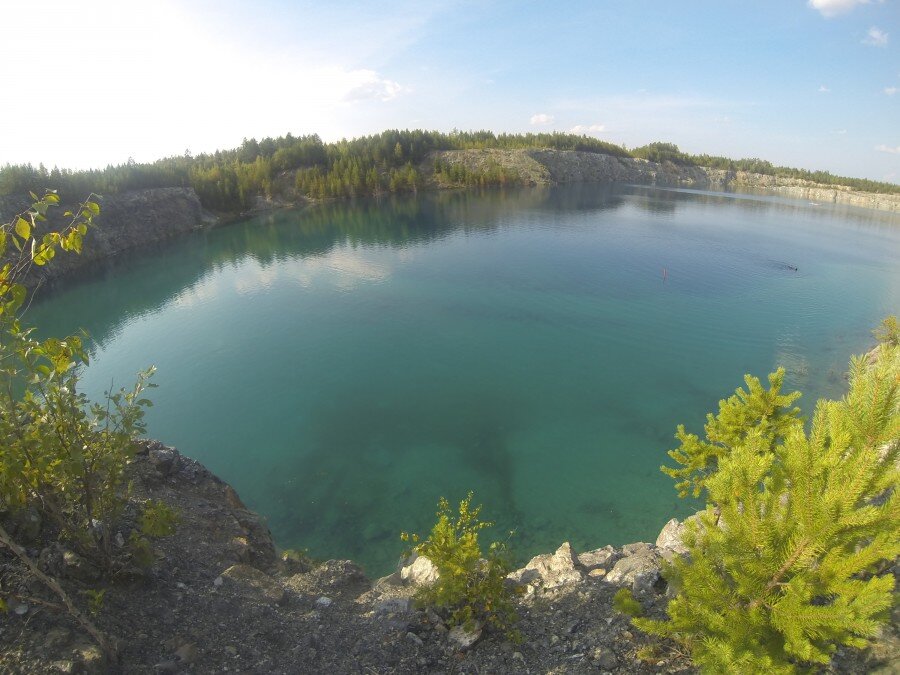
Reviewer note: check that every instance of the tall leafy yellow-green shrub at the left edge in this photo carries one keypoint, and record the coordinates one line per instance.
(62, 455)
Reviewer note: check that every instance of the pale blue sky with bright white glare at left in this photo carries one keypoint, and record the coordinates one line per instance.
(813, 84)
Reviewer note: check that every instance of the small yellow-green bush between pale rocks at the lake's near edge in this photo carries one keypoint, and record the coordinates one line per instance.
(471, 589)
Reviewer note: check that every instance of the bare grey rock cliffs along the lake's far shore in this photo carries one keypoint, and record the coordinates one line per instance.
(142, 218)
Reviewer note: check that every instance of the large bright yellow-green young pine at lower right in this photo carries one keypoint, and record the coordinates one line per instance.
(791, 557)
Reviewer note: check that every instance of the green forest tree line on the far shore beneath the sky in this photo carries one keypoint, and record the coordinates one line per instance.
(393, 161)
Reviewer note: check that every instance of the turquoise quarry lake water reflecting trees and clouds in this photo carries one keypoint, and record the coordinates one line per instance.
(345, 365)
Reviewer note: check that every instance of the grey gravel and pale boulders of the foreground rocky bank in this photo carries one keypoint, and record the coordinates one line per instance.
(220, 599)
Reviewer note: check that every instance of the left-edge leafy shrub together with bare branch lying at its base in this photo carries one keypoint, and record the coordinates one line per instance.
(62, 469)
